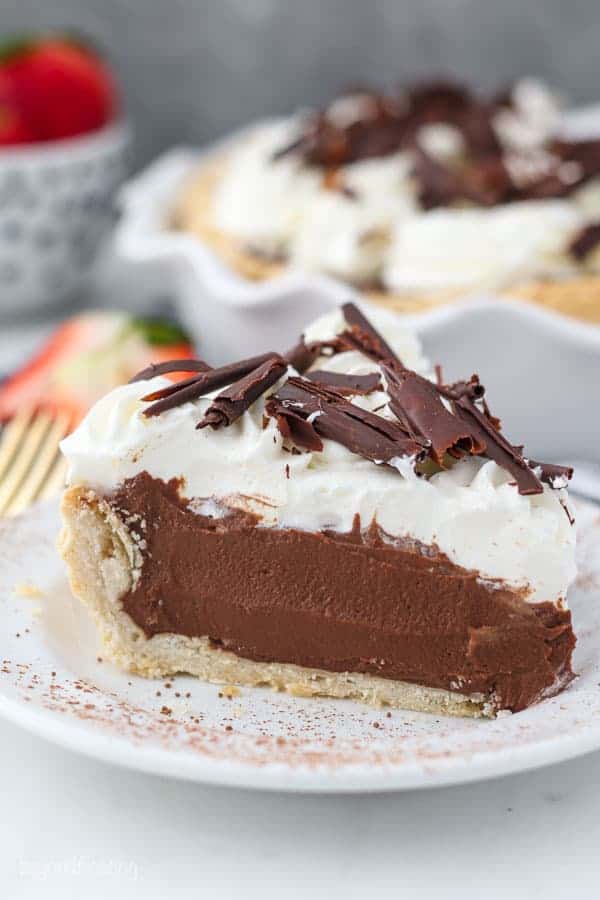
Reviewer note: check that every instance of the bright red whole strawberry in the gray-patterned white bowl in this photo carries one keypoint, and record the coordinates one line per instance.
(59, 87)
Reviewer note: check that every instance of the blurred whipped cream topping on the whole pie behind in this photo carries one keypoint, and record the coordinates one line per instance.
(367, 227)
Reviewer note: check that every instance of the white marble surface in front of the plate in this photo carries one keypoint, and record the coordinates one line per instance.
(71, 827)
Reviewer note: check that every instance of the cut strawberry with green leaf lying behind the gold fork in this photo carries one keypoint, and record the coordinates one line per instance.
(88, 356)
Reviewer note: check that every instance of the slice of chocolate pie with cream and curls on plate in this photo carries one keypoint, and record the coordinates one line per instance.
(331, 521)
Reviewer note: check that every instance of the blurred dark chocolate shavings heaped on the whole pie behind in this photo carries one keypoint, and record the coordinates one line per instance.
(386, 124)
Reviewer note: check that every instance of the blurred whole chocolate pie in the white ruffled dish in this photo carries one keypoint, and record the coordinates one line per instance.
(415, 197)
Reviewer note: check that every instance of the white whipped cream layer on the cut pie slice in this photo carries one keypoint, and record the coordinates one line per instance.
(472, 512)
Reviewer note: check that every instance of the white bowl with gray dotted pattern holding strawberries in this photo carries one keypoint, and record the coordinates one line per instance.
(56, 206)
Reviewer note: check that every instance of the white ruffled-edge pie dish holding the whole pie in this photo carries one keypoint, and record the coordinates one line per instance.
(541, 368)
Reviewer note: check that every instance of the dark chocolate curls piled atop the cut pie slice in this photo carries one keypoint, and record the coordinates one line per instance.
(433, 420)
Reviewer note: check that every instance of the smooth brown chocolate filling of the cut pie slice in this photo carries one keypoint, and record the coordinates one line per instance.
(341, 602)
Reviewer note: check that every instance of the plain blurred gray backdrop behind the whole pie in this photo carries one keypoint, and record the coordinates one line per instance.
(192, 69)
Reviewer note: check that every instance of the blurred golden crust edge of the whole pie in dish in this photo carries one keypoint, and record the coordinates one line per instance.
(577, 296)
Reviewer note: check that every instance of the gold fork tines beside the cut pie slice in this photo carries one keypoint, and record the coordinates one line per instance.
(31, 465)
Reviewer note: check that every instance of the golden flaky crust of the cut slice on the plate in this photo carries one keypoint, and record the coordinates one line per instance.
(104, 560)
